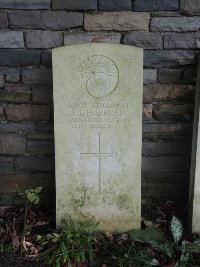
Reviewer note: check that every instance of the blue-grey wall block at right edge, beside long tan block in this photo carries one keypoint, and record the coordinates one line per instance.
(175, 24)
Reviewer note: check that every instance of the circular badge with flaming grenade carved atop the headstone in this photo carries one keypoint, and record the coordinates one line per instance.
(100, 74)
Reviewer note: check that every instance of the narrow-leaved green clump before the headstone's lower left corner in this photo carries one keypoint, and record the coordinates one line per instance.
(73, 245)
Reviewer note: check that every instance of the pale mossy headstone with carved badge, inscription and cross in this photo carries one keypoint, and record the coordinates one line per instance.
(98, 136)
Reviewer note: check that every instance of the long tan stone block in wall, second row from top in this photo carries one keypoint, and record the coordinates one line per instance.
(119, 21)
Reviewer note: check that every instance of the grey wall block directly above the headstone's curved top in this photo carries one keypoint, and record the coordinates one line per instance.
(92, 37)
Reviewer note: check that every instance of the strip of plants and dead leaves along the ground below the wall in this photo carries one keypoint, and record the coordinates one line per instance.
(28, 233)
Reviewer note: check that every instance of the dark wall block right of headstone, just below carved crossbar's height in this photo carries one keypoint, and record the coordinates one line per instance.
(165, 164)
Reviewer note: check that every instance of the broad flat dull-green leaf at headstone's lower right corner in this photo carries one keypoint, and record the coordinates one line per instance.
(147, 235)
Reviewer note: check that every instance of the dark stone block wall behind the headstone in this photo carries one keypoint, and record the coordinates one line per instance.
(169, 33)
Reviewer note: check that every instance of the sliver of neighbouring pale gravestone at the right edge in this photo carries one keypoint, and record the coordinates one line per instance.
(194, 201)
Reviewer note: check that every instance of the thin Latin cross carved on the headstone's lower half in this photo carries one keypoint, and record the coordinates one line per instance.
(99, 154)
